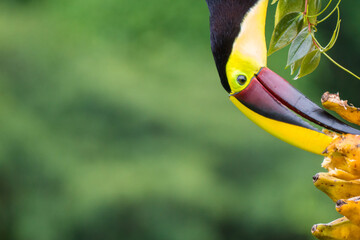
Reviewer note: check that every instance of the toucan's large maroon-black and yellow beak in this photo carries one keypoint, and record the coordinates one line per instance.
(272, 102)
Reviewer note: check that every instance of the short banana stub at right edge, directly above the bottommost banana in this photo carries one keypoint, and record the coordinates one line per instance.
(350, 208)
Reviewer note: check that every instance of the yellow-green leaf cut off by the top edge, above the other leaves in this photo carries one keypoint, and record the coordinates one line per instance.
(285, 7)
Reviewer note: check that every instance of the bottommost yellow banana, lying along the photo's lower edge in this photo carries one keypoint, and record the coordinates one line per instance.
(339, 229)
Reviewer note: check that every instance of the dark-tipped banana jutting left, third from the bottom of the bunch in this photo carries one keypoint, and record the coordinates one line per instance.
(336, 188)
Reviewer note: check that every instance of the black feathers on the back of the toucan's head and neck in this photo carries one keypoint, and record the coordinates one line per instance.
(225, 19)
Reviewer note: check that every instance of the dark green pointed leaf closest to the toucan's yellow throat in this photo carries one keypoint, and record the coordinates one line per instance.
(285, 31)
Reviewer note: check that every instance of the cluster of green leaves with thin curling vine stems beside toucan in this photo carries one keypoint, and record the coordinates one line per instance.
(295, 25)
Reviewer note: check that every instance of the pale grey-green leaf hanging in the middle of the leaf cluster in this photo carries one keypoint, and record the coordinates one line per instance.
(300, 46)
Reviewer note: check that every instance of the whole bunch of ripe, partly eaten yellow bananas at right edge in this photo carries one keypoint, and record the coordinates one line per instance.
(342, 181)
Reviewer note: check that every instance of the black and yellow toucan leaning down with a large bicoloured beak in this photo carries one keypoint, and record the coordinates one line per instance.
(237, 36)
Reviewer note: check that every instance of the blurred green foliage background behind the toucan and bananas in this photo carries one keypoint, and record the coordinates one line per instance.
(114, 125)
